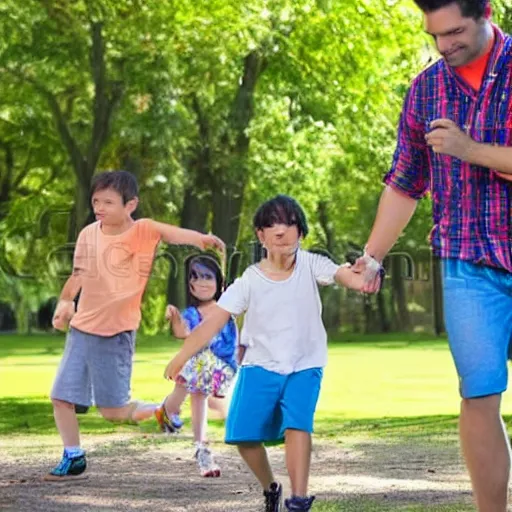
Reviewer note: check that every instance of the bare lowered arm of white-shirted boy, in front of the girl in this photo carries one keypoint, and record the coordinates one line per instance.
(198, 339)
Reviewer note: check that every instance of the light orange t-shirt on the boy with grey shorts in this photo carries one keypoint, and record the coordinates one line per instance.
(113, 270)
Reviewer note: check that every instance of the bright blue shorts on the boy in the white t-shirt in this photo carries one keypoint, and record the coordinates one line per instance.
(266, 403)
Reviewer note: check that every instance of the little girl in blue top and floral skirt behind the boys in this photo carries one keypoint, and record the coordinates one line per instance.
(209, 373)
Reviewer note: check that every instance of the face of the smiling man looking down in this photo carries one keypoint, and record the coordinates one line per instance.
(459, 40)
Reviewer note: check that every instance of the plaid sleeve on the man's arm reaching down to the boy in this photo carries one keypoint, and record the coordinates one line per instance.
(410, 170)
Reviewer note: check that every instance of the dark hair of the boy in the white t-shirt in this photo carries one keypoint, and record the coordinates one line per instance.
(281, 210)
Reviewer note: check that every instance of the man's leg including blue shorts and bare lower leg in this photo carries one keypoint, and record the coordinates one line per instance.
(478, 316)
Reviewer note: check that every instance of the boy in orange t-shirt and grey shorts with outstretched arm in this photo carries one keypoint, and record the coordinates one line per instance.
(112, 263)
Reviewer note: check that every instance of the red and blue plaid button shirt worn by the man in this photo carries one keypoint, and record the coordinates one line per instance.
(472, 207)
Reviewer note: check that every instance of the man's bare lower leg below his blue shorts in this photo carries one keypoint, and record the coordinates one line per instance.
(486, 450)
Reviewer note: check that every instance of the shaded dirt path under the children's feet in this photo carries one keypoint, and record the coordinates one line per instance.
(126, 475)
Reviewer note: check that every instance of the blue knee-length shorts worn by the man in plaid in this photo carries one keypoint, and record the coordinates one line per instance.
(478, 318)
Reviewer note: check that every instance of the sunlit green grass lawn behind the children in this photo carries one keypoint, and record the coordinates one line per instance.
(394, 388)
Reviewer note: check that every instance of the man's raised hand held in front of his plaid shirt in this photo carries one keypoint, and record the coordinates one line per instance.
(447, 138)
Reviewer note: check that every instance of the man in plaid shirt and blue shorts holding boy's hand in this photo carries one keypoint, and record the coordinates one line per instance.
(455, 140)
